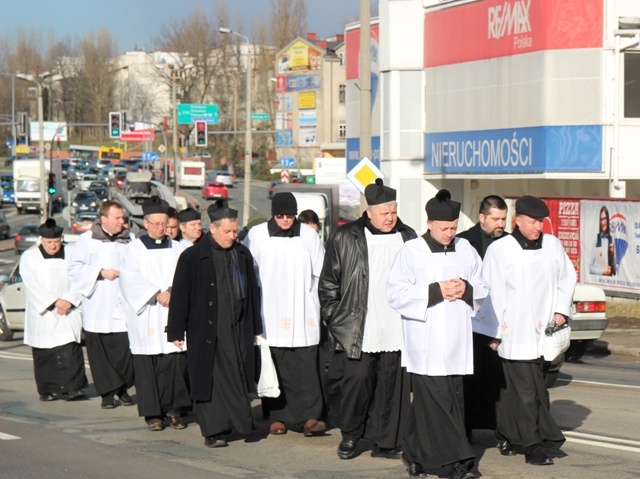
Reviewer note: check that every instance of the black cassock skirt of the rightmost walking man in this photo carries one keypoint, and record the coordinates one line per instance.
(524, 418)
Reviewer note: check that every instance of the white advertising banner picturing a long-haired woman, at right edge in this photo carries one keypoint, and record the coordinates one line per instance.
(610, 237)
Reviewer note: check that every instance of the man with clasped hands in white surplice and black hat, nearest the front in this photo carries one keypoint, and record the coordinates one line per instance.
(434, 284)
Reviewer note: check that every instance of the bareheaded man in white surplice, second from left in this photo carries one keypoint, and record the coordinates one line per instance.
(94, 271)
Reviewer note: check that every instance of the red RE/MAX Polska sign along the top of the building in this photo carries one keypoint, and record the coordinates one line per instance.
(498, 28)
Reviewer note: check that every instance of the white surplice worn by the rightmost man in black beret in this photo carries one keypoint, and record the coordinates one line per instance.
(527, 288)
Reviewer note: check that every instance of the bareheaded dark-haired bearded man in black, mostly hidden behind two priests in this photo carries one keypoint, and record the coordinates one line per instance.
(482, 389)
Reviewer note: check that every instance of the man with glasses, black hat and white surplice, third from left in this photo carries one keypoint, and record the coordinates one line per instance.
(146, 274)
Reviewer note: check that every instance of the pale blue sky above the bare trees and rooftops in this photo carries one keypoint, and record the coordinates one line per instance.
(135, 24)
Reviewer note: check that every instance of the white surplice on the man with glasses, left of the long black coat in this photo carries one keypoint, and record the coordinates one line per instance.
(143, 274)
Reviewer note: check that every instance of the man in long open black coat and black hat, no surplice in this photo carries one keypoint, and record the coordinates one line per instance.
(215, 301)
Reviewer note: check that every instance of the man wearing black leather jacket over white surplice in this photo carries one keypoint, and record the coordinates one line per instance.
(367, 389)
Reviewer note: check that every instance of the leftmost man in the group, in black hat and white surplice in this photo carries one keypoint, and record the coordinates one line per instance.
(53, 322)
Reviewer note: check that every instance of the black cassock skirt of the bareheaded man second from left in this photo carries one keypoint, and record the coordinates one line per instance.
(110, 361)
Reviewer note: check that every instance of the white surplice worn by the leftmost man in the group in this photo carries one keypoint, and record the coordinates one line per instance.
(45, 281)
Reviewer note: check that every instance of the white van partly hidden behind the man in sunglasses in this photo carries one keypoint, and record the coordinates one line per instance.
(323, 199)
